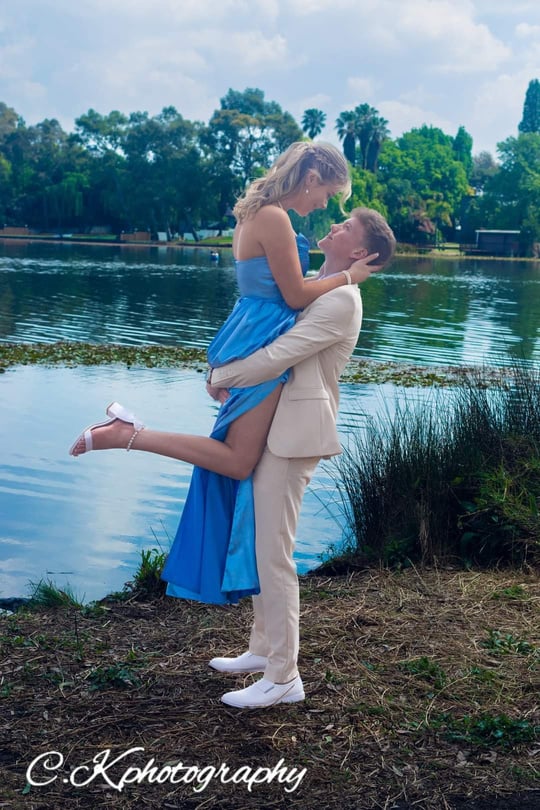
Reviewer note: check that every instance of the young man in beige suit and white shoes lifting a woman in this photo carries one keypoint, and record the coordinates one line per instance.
(303, 431)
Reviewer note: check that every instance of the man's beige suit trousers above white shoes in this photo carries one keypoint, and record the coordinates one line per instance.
(278, 486)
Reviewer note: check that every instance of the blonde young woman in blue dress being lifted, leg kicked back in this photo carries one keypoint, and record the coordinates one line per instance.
(212, 558)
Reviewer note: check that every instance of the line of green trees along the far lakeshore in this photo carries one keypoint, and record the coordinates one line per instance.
(165, 173)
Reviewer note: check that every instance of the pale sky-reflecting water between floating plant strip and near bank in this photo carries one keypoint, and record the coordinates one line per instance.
(84, 521)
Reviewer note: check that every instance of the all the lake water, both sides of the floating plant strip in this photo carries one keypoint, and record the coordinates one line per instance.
(84, 521)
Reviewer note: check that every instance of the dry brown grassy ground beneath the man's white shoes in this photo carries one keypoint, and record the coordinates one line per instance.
(393, 664)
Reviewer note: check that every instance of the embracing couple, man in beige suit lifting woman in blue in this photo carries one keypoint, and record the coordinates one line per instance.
(274, 419)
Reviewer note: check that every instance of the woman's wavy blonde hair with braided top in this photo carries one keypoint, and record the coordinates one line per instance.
(288, 173)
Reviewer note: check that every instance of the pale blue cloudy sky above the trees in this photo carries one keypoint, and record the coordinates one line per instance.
(446, 63)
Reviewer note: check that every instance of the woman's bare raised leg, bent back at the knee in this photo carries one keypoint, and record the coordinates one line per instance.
(236, 457)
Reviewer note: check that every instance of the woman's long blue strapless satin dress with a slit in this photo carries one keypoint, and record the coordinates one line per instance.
(212, 558)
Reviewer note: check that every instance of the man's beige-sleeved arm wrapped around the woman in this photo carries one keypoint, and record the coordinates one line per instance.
(326, 321)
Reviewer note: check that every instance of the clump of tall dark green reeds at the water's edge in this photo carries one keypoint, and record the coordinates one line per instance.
(456, 477)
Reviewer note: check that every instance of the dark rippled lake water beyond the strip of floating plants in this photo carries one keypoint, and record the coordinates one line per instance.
(435, 311)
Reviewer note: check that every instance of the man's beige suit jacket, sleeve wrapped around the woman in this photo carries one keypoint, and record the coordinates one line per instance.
(317, 348)
